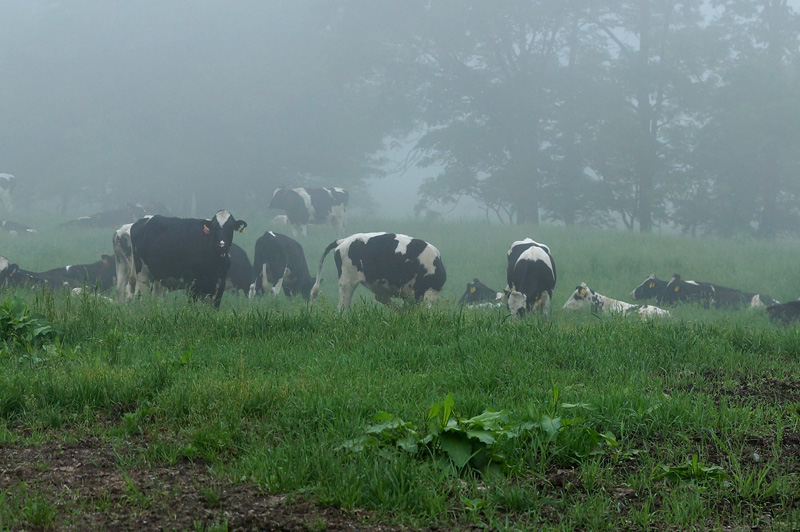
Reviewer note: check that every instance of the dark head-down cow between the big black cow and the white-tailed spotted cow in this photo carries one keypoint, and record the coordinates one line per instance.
(279, 261)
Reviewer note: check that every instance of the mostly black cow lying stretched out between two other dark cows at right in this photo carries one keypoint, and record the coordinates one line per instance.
(678, 291)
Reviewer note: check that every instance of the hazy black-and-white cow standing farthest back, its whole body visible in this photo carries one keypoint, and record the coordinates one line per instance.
(305, 206)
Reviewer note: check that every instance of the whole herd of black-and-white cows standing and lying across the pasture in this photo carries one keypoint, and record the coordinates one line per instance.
(158, 252)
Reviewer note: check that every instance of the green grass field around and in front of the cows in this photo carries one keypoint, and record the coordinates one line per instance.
(274, 415)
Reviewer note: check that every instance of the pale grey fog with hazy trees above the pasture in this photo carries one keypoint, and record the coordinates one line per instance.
(644, 115)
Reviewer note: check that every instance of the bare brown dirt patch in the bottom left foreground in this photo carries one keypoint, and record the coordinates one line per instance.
(86, 490)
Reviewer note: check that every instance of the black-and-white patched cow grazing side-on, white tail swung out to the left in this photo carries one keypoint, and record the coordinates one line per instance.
(388, 264)
